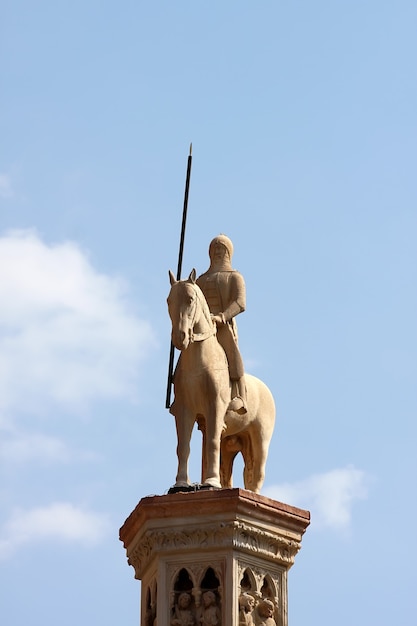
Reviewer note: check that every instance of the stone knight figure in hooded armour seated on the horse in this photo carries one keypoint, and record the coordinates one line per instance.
(224, 289)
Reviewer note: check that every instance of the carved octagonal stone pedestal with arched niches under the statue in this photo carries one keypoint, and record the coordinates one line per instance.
(213, 557)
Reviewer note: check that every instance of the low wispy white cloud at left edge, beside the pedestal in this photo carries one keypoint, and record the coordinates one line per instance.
(60, 521)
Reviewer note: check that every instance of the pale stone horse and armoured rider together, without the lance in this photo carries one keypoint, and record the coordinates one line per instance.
(234, 410)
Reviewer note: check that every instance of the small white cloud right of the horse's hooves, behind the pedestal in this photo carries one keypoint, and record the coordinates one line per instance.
(329, 496)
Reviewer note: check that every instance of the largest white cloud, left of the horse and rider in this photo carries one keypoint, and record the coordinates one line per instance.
(67, 334)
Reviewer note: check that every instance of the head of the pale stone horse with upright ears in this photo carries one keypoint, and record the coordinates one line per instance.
(188, 310)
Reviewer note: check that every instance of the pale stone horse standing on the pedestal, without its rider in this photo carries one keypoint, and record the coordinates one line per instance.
(202, 394)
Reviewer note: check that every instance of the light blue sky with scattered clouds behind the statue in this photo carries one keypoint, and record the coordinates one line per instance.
(304, 128)
